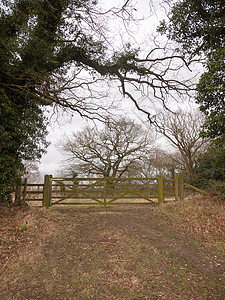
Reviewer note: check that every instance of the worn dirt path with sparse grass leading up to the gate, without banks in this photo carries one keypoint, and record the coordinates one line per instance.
(113, 253)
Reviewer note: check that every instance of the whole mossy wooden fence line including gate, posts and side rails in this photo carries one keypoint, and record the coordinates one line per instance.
(104, 191)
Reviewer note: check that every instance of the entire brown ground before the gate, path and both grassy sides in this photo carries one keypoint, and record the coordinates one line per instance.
(175, 251)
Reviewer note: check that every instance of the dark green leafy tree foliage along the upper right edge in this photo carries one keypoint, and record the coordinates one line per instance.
(199, 28)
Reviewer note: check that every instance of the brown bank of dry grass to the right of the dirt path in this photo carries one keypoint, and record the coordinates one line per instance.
(201, 216)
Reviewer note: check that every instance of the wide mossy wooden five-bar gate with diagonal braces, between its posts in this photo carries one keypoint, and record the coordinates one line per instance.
(103, 191)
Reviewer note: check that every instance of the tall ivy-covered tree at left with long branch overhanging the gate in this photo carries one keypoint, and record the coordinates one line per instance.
(57, 53)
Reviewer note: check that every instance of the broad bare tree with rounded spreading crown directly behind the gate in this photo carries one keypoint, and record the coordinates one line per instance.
(110, 151)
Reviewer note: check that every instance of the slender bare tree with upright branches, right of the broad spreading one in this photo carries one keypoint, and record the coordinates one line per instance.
(182, 129)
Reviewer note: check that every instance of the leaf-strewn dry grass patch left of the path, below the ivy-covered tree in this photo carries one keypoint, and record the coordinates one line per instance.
(20, 226)
